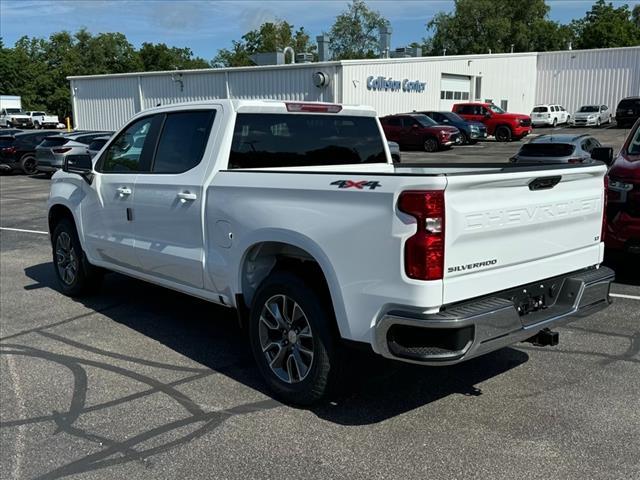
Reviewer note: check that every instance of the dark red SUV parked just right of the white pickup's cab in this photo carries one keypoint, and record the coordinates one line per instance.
(417, 130)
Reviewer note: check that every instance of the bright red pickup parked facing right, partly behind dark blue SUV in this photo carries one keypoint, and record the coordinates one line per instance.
(502, 125)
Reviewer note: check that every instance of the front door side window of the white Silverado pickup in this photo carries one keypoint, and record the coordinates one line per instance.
(125, 154)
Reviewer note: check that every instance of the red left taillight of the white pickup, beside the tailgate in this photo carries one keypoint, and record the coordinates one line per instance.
(424, 251)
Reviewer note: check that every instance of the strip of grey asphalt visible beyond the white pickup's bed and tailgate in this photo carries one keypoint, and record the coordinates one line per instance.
(491, 151)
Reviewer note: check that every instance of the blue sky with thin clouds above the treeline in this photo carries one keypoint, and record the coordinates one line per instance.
(205, 26)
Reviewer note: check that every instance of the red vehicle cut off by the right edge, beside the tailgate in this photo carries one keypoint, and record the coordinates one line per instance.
(623, 205)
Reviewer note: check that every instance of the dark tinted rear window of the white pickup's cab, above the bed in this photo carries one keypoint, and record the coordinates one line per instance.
(292, 140)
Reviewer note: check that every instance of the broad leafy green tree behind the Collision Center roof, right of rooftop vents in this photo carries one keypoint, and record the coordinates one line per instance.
(477, 26)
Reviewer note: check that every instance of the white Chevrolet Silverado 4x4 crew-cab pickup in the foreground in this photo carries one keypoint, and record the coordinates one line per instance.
(295, 215)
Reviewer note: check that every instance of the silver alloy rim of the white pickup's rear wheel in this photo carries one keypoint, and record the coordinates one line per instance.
(286, 339)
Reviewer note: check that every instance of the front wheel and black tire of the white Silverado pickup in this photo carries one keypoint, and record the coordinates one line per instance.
(85, 277)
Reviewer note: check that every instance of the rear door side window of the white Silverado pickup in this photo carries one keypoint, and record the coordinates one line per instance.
(182, 141)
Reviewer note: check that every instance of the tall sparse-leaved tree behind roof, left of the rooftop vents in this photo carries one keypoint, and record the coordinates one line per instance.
(355, 32)
